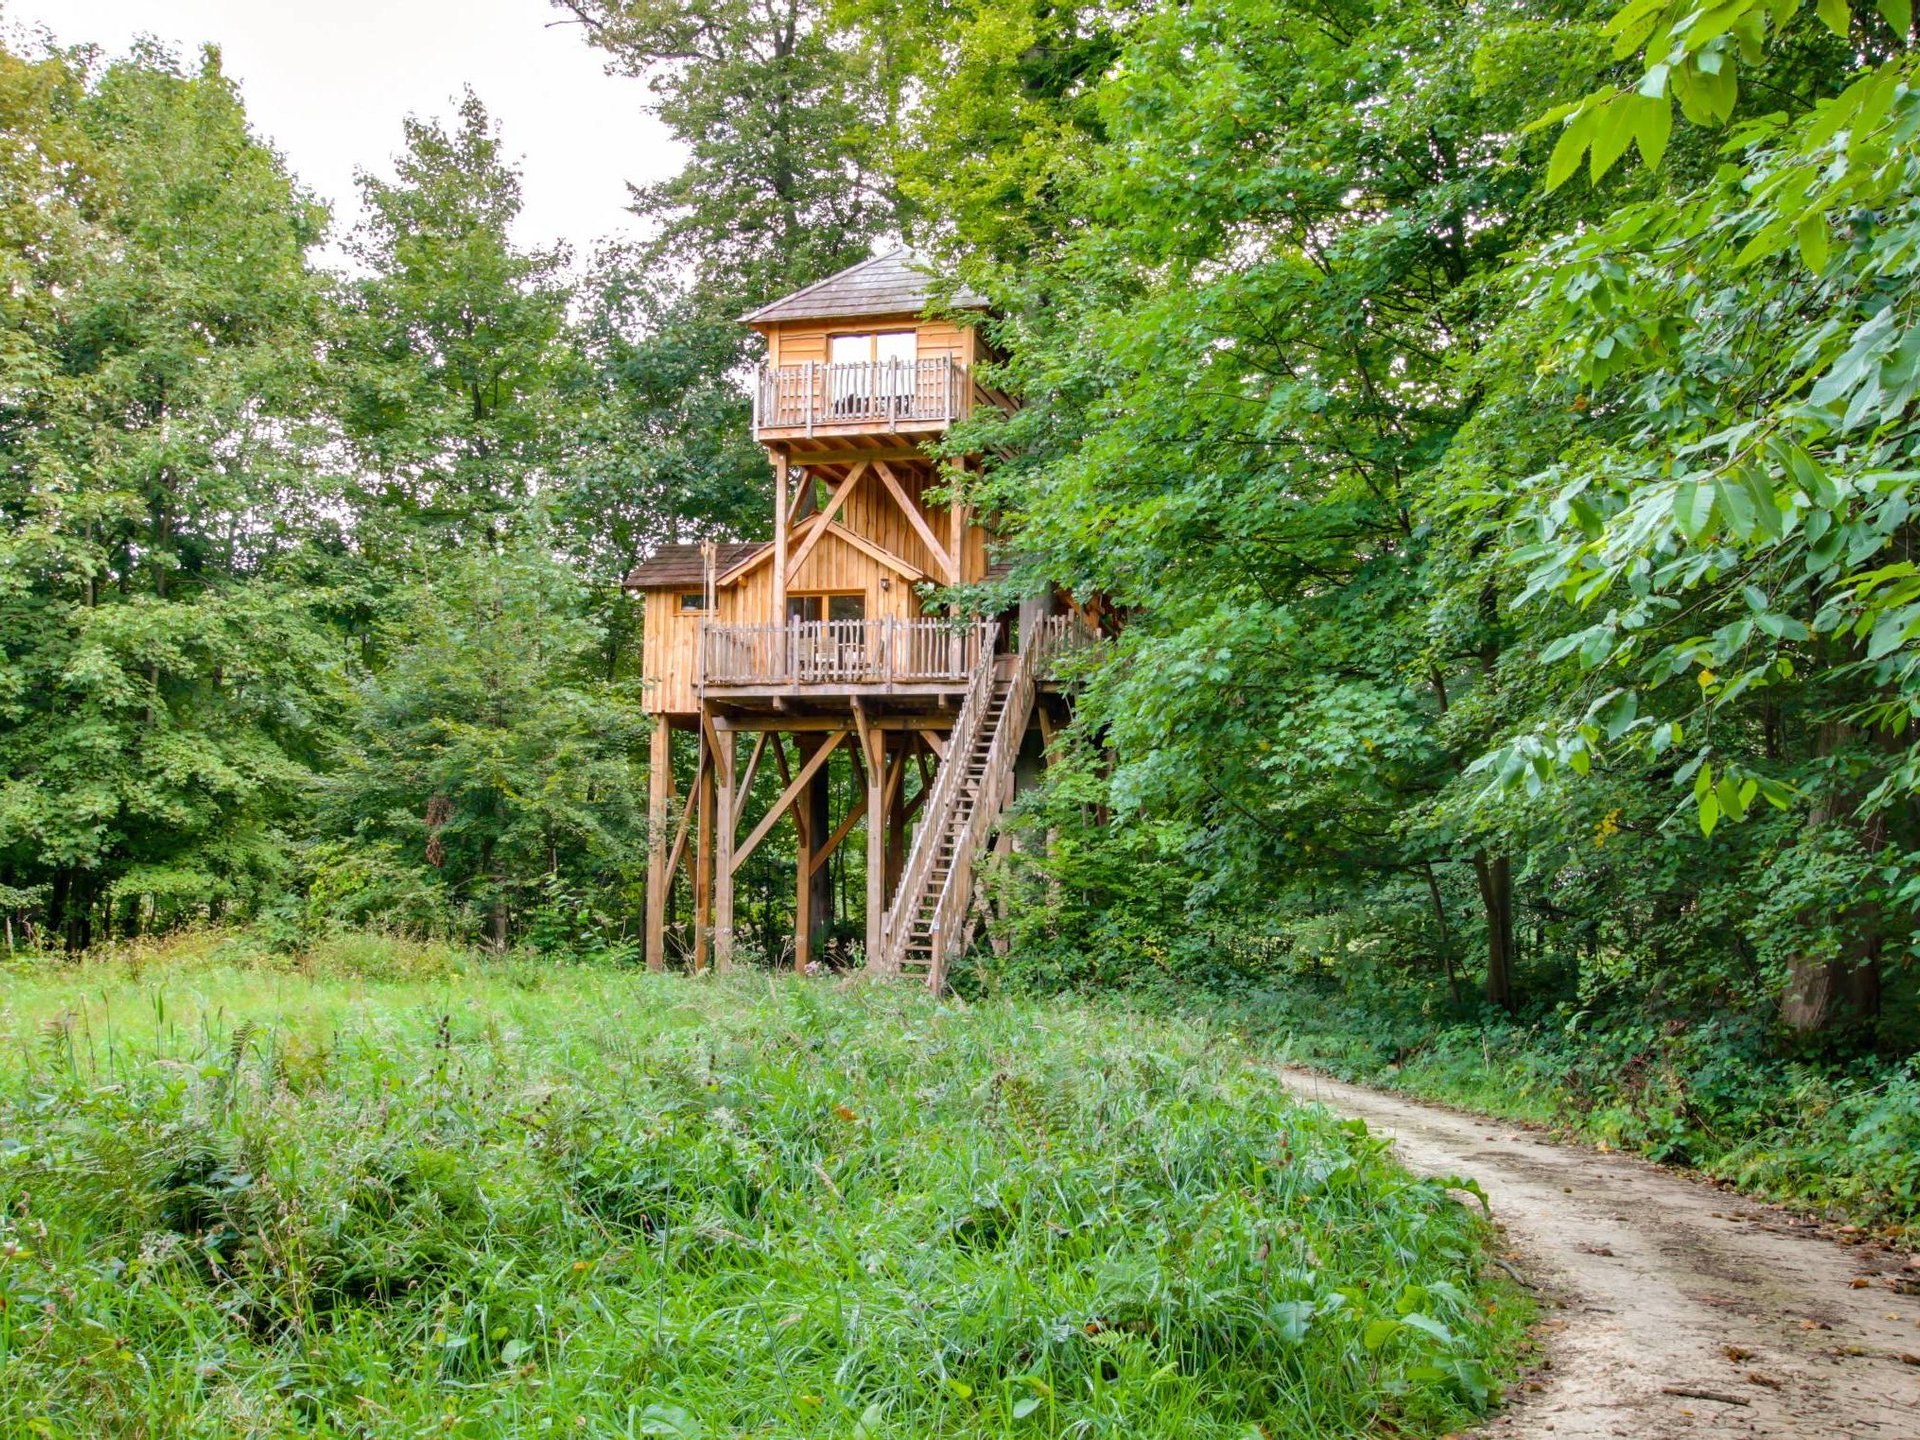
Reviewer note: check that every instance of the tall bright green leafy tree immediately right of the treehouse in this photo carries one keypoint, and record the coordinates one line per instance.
(1247, 358)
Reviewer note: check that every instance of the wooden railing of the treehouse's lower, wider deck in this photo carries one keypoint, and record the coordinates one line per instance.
(842, 652)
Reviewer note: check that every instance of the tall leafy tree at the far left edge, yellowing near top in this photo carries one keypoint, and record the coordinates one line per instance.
(162, 669)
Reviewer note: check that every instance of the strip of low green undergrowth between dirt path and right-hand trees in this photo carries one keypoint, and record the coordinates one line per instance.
(1719, 1097)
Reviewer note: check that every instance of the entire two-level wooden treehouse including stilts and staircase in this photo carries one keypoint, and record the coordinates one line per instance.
(821, 646)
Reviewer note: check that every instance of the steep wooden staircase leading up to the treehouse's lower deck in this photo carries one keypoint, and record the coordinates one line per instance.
(932, 917)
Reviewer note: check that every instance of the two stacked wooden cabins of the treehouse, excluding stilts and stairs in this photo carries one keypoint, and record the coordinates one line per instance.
(855, 383)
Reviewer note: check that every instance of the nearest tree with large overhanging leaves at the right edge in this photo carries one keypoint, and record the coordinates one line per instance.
(1719, 552)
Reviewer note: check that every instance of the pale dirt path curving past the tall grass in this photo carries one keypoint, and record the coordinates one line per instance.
(1658, 1284)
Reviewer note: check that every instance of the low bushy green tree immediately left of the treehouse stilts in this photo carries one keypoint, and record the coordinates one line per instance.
(485, 761)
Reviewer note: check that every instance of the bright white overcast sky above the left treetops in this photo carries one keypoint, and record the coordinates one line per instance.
(329, 84)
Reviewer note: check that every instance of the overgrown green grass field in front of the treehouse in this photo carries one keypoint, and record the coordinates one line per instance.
(402, 1193)
